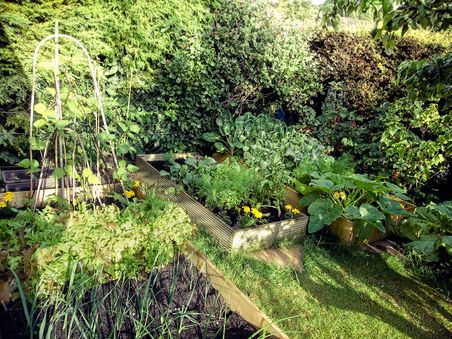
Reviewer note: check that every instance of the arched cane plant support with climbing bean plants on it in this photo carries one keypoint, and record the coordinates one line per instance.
(64, 134)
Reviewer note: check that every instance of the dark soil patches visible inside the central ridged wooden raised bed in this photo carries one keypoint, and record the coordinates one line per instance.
(231, 216)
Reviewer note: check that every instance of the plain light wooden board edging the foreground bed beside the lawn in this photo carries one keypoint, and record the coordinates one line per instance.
(236, 300)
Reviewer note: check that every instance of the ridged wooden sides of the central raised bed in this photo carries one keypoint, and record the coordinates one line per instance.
(260, 236)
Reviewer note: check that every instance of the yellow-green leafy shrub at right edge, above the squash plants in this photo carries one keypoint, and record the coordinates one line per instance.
(416, 141)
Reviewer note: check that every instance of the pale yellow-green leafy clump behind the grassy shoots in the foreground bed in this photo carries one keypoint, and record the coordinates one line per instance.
(106, 241)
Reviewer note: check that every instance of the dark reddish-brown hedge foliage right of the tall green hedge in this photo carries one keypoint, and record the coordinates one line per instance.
(367, 74)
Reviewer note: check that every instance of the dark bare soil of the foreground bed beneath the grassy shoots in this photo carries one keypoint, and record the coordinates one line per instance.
(174, 290)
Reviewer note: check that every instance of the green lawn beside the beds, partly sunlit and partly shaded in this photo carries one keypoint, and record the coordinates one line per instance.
(338, 293)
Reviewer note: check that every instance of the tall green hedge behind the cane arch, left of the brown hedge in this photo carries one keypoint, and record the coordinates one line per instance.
(187, 62)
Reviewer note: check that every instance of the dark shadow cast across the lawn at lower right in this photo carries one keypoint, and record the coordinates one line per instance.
(337, 287)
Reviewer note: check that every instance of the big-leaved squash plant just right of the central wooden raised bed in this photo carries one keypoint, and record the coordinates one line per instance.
(330, 196)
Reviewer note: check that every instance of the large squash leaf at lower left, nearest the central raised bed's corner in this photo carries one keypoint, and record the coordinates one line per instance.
(322, 212)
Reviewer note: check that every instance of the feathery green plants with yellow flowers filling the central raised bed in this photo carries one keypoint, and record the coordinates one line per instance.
(229, 187)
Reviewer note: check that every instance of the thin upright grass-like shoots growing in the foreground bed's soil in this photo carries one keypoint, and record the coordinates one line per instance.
(175, 301)
